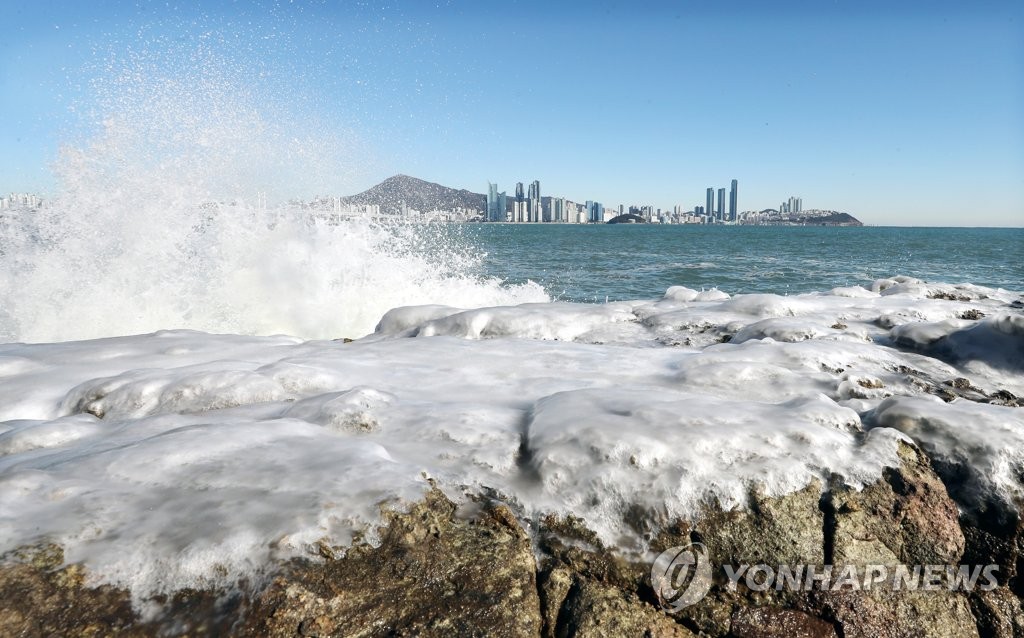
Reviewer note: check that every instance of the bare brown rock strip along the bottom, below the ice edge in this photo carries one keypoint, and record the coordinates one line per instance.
(478, 569)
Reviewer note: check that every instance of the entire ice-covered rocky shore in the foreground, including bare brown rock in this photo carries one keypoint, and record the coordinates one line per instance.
(837, 465)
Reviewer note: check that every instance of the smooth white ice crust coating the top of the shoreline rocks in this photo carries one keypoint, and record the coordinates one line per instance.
(185, 459)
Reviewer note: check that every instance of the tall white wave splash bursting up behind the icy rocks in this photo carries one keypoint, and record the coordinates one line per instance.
(157, 225)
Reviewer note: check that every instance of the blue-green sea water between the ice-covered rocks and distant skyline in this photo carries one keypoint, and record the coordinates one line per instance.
(633, 262)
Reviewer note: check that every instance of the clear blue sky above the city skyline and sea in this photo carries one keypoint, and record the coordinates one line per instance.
(908, 114)
